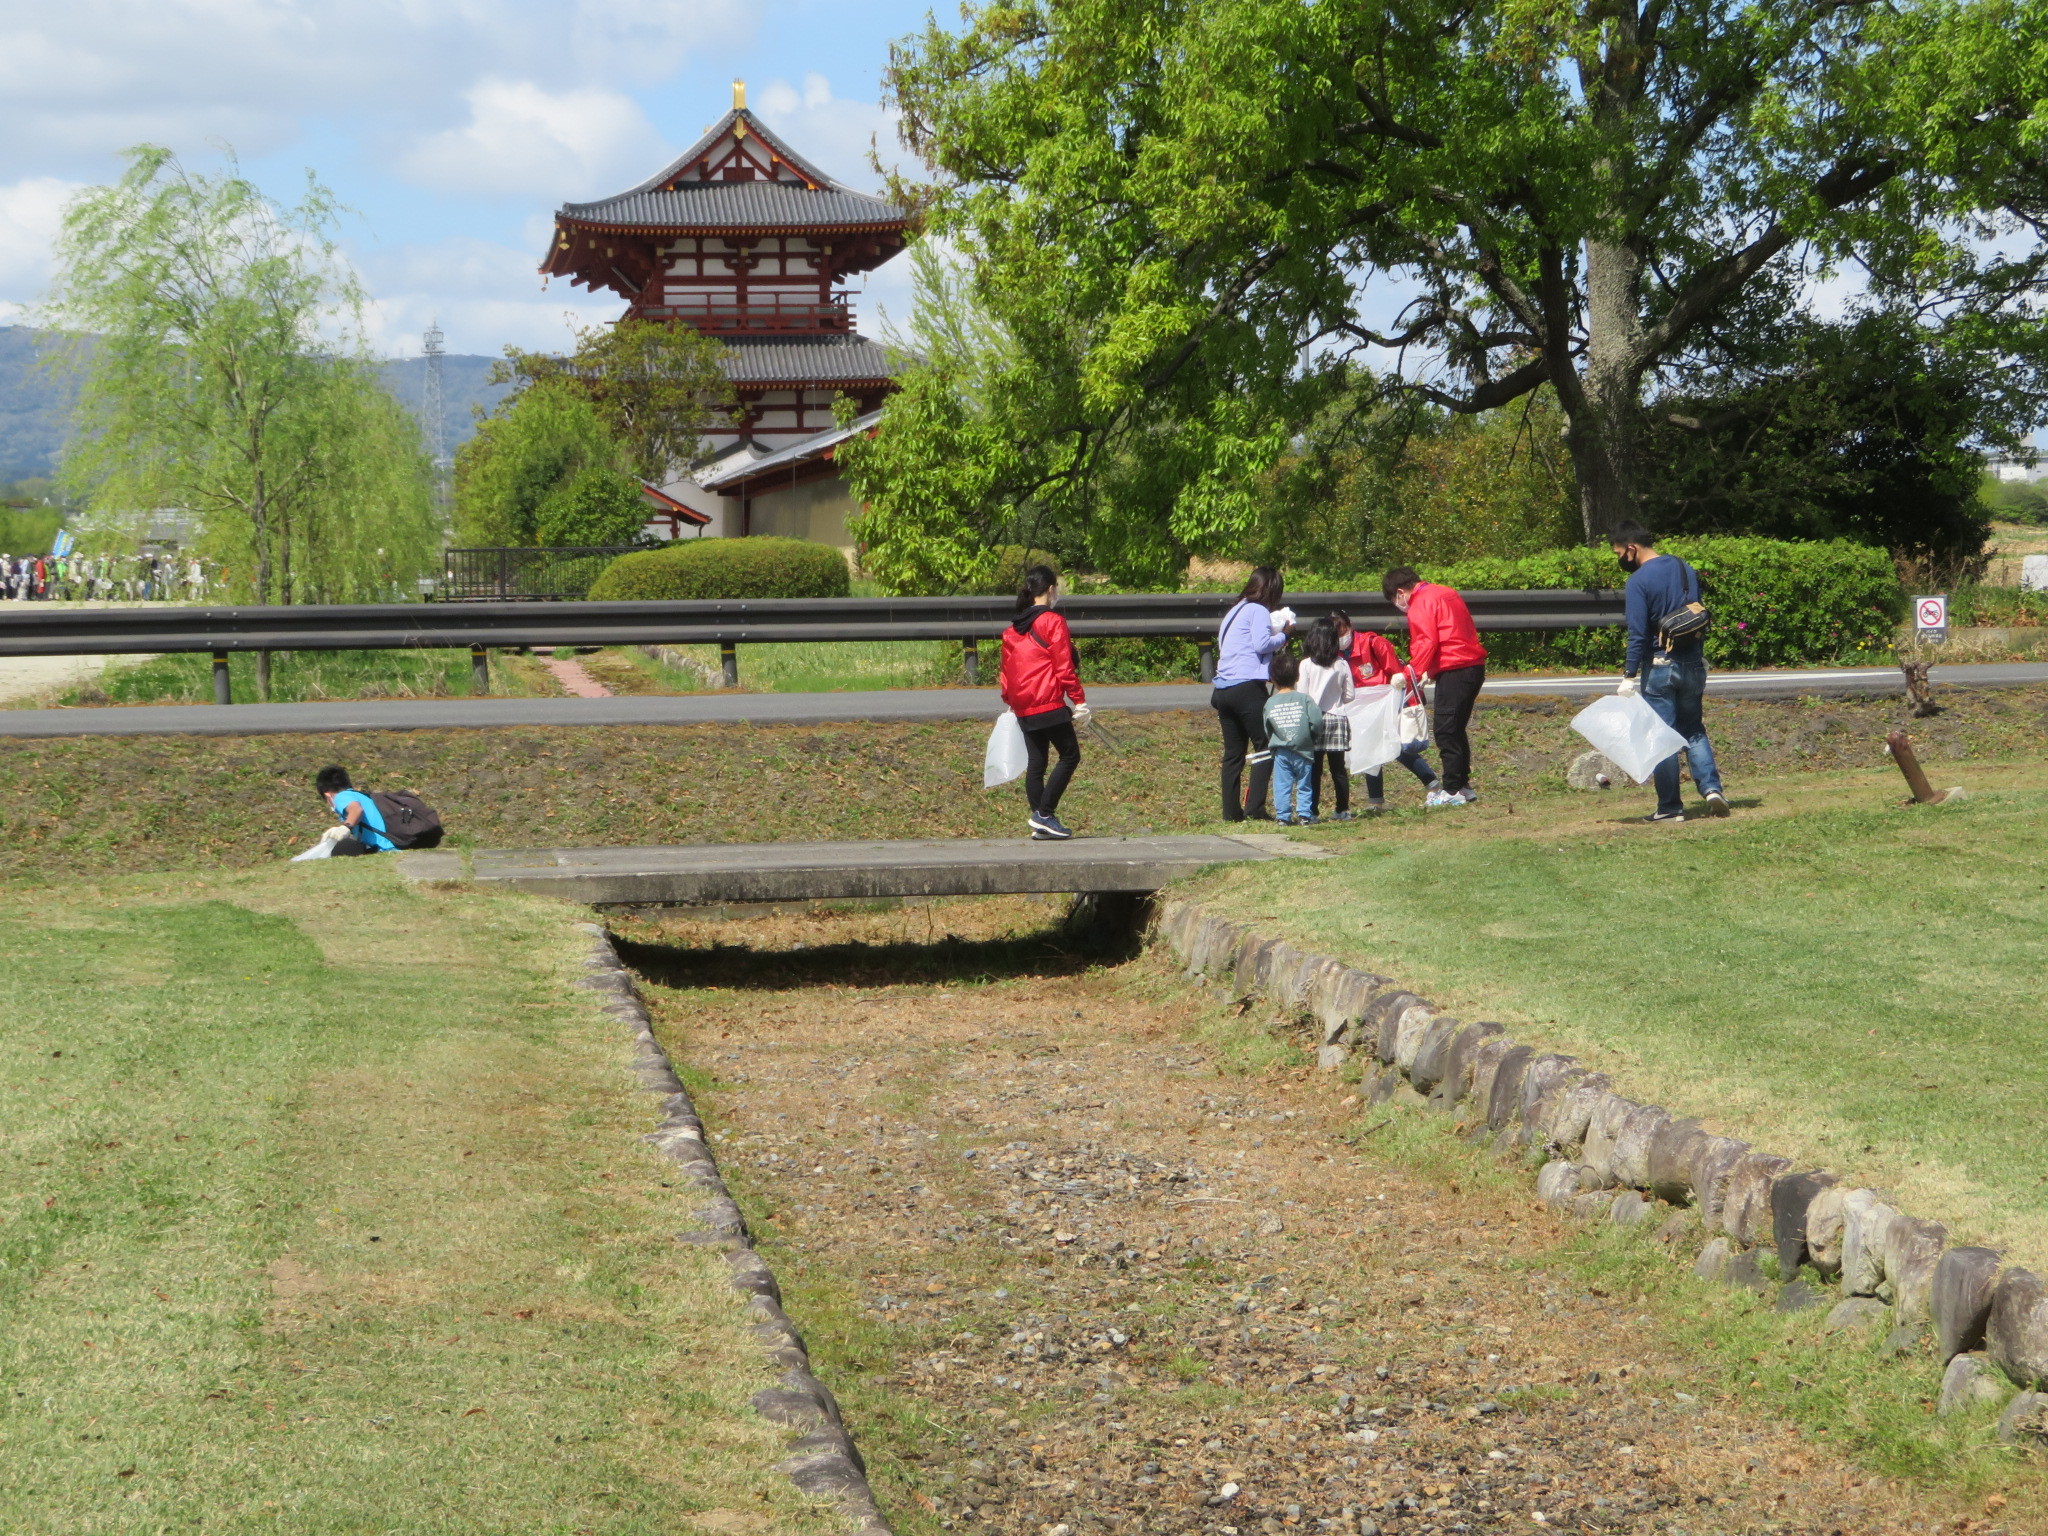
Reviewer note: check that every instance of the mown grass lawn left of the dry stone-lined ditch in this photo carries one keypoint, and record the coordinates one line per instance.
(327, 1211)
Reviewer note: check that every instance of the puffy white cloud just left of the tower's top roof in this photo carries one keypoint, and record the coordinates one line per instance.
(534, 142)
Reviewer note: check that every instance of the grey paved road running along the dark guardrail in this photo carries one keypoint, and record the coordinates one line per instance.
(820, 710)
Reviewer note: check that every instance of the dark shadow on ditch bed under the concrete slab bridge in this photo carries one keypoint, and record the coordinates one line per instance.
(1095, 933)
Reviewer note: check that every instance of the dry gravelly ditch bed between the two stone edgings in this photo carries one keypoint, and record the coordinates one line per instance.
(1080, 1254)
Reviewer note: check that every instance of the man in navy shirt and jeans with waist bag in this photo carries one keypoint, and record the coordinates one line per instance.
(1670, 677)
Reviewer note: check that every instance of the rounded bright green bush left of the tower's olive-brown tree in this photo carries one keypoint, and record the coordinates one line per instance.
(527, 454)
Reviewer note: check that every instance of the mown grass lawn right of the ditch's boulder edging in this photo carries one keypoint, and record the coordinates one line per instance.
(1832, 978)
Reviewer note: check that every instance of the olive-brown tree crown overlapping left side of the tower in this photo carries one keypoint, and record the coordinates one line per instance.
(654, 388)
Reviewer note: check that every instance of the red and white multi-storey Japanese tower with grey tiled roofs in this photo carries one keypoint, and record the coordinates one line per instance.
(751, 243)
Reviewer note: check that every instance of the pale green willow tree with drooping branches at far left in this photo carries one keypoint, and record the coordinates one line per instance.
(208, 388)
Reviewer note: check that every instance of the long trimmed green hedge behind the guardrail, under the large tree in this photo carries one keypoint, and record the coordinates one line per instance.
(1775, 603)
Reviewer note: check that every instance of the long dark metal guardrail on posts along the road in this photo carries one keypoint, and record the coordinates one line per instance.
(728, 624)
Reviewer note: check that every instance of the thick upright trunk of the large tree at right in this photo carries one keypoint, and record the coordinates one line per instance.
(1605, 425)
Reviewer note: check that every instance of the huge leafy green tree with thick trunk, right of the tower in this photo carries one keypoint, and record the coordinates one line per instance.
(1195, 218)
